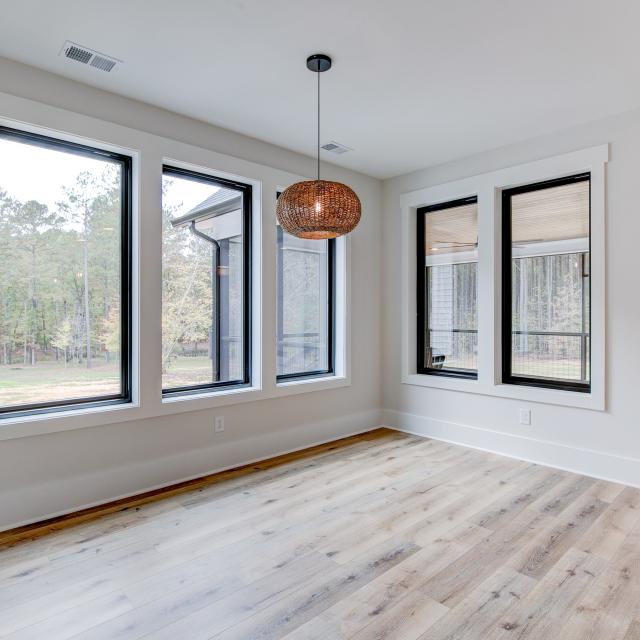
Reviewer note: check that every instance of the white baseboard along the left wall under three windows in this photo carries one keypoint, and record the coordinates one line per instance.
(234, 454)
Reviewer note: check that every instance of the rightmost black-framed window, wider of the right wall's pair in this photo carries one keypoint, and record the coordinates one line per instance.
(545, 280)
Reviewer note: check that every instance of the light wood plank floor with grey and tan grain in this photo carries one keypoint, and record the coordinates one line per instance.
(379, 536)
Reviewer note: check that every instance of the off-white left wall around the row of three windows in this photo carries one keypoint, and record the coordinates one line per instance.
(48, 474)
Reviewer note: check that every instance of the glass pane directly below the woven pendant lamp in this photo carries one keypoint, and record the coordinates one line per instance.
(303, 305)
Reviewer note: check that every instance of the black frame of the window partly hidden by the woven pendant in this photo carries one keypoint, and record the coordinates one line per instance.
(331, 316)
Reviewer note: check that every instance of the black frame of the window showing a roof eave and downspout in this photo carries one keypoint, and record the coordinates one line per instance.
(247, 279)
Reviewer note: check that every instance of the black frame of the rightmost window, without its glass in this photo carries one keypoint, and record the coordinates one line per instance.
(507, 284)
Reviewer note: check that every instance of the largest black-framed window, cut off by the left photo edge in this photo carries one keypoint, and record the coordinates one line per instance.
(65, 280)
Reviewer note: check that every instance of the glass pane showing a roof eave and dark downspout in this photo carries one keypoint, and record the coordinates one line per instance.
(202, 283)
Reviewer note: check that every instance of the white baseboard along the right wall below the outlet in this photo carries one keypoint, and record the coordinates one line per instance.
(588, 462)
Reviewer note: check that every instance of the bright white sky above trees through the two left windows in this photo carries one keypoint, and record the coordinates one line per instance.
(29, 172)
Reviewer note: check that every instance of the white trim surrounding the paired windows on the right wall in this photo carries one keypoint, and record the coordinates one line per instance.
(488, 187)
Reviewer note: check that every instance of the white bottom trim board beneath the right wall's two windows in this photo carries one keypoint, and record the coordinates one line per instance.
(592, 401)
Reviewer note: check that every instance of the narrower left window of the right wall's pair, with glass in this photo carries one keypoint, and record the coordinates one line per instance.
(447, 284)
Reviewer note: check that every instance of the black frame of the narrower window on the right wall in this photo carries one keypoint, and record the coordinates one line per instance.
(422, 298)
